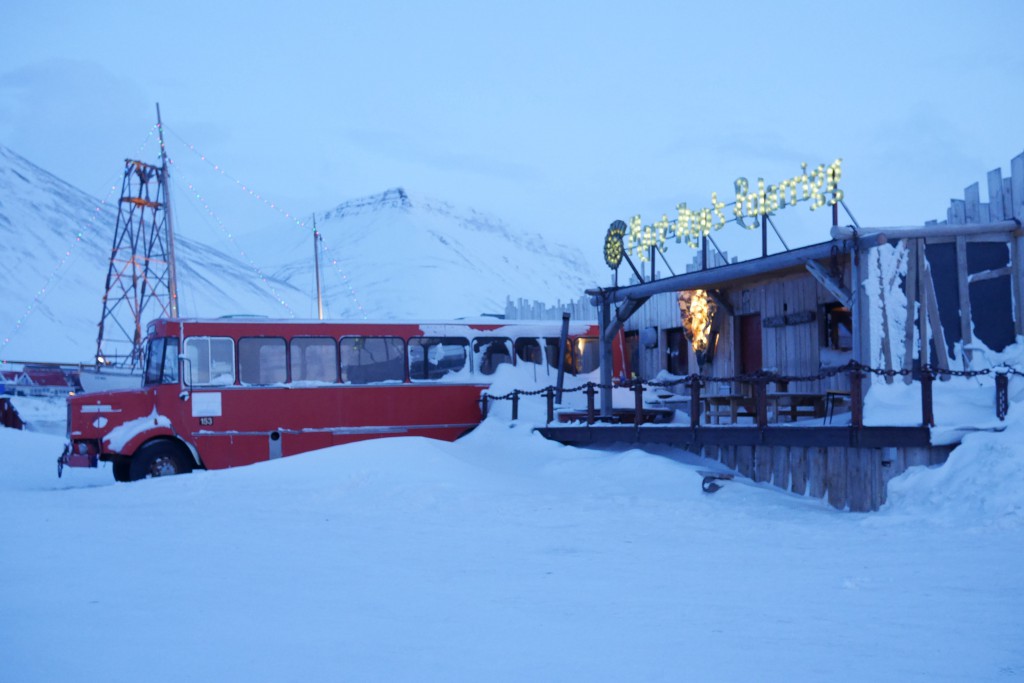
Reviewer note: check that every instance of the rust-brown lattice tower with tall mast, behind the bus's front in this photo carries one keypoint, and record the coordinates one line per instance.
(141, 280)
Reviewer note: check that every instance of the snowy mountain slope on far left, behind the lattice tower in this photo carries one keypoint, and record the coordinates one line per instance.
(57, 242)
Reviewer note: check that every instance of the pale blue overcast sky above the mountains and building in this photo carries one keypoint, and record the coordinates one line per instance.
(558, 117)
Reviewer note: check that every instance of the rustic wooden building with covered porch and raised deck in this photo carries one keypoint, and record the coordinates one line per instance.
(783, 330)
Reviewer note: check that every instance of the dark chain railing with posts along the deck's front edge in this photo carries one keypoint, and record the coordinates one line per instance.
(760, 380)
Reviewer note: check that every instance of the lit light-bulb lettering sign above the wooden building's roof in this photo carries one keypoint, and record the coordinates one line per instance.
(820, 187)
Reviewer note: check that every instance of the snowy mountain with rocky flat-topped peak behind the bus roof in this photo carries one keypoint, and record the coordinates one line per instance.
(399, 255)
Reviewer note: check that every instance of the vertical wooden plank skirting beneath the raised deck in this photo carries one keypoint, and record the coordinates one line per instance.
(850, 479)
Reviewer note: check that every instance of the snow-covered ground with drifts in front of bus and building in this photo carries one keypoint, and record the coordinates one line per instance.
(505, 558)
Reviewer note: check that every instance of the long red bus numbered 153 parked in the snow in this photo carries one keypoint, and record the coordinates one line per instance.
(226, 393)
